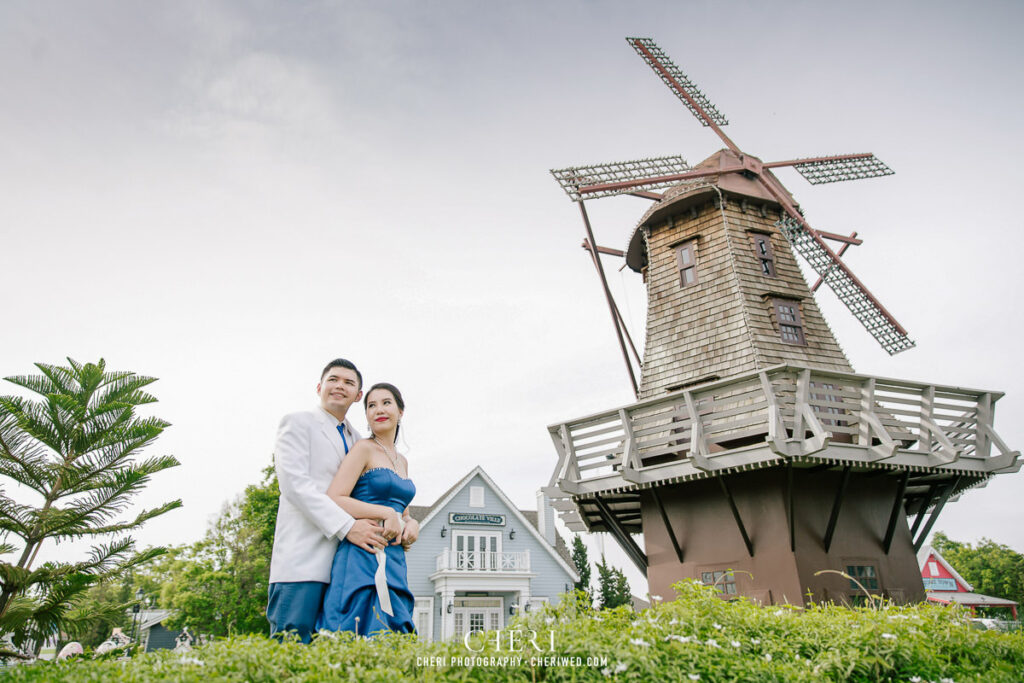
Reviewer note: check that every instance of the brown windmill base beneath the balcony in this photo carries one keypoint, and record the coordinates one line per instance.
(780, 571)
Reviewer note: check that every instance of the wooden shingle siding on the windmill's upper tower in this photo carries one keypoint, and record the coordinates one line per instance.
(726, 324)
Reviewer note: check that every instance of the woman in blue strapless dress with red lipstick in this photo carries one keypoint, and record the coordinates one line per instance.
(369, 592)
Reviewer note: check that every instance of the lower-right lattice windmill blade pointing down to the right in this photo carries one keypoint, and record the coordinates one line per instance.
(850, 291)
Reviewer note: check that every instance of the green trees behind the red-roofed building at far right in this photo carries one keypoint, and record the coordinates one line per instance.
(992, 568)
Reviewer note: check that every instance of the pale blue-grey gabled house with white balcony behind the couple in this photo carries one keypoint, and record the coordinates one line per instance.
(480, 560)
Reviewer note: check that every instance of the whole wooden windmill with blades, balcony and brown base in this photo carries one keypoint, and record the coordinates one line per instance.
(754, 447)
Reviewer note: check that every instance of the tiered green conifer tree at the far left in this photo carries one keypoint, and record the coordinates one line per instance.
(75, 452)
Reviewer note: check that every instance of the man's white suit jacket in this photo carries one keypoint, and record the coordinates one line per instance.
(307, 457)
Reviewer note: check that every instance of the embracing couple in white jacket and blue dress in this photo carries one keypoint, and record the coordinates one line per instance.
(344, 523)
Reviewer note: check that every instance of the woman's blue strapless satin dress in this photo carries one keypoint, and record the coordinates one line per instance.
(353, 593)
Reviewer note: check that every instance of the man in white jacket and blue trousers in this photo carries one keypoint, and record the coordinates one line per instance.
(310, 450)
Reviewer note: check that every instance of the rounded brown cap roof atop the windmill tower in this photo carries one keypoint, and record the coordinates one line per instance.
(695, 192)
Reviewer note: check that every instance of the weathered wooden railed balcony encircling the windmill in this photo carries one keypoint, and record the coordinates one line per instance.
(785, 414)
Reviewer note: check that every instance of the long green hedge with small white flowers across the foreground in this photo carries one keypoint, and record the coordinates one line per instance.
(696, 637)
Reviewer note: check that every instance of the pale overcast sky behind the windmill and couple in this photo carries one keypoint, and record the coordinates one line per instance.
(226, 196)
